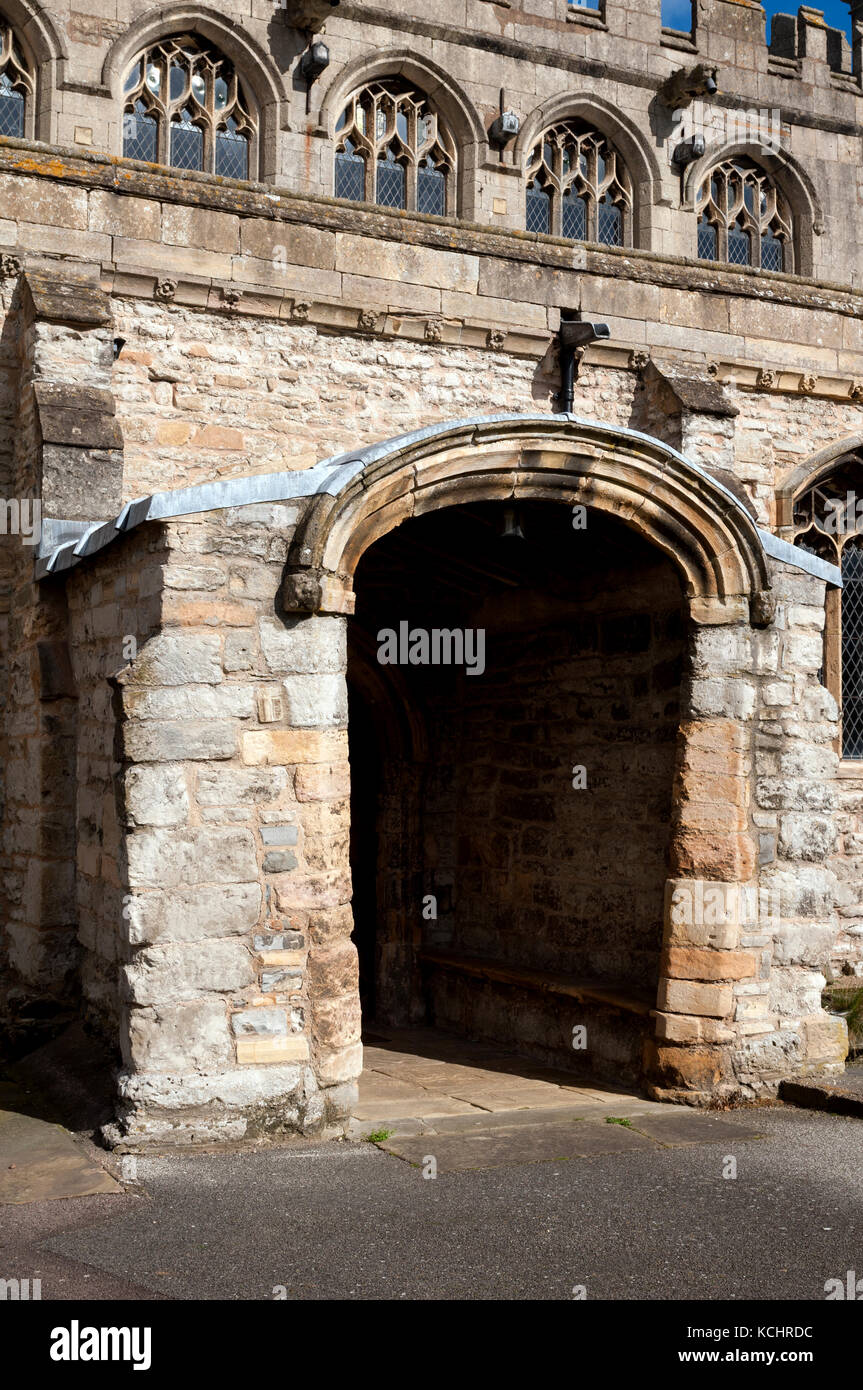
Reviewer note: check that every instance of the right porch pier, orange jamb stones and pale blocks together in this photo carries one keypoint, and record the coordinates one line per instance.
(747, 949)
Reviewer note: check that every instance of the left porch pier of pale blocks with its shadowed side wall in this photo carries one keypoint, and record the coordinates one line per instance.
(212, 829)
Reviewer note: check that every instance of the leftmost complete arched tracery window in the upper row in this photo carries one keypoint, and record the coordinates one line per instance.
(187, 108)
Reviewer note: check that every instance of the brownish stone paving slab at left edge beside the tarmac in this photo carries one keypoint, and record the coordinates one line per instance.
(40, 1161)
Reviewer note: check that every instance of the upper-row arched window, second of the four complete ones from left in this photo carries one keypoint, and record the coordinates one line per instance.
(391, 149)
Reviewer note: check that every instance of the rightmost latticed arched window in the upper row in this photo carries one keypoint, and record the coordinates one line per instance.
(743, 219)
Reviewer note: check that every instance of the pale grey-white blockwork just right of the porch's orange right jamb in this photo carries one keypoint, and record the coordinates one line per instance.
(796, 817)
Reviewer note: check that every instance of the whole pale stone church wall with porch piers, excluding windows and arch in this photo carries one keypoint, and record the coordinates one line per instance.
(268, 327)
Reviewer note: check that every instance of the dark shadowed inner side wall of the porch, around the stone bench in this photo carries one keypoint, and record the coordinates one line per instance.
(544, 875)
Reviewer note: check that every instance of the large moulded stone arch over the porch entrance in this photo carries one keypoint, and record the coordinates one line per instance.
(687, 514)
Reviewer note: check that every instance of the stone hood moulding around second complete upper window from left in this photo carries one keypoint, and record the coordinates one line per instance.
(454, 105)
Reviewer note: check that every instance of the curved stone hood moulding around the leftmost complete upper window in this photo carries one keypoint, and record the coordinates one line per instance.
(255, 66)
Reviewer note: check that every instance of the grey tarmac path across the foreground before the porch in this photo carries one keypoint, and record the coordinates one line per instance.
(350, 1221)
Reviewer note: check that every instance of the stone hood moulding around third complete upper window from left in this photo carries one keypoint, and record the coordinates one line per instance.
(640, 159)
